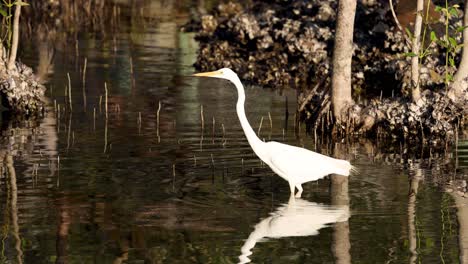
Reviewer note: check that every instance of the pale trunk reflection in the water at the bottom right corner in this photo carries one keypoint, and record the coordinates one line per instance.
(462, 214)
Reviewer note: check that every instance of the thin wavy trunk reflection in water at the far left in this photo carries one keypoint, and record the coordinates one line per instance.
(13, 206)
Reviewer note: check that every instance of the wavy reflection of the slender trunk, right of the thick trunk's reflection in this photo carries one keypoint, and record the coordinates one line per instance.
(413, 191)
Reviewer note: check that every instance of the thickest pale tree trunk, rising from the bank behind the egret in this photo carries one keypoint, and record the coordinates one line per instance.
(342, 57)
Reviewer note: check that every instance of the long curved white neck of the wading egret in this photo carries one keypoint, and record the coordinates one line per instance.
(254, 141)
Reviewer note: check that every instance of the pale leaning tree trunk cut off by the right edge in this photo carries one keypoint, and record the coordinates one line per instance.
(460, 80)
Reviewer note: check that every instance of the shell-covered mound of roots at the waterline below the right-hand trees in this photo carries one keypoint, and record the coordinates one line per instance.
(434, 119)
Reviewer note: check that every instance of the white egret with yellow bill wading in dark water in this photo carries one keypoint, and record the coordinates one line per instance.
(295, 165)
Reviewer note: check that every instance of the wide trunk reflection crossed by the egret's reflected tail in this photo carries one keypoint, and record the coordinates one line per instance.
(340, 196)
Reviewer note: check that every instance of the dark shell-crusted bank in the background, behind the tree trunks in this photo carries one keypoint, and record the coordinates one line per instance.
(290, 43)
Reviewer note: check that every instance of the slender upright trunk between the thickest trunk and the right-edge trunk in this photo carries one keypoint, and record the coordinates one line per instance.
(415, 91)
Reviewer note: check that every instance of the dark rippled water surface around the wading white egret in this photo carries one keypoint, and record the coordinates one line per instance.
(86, 189)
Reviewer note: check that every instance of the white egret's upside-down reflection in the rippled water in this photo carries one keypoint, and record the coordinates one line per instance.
(296, 218)
